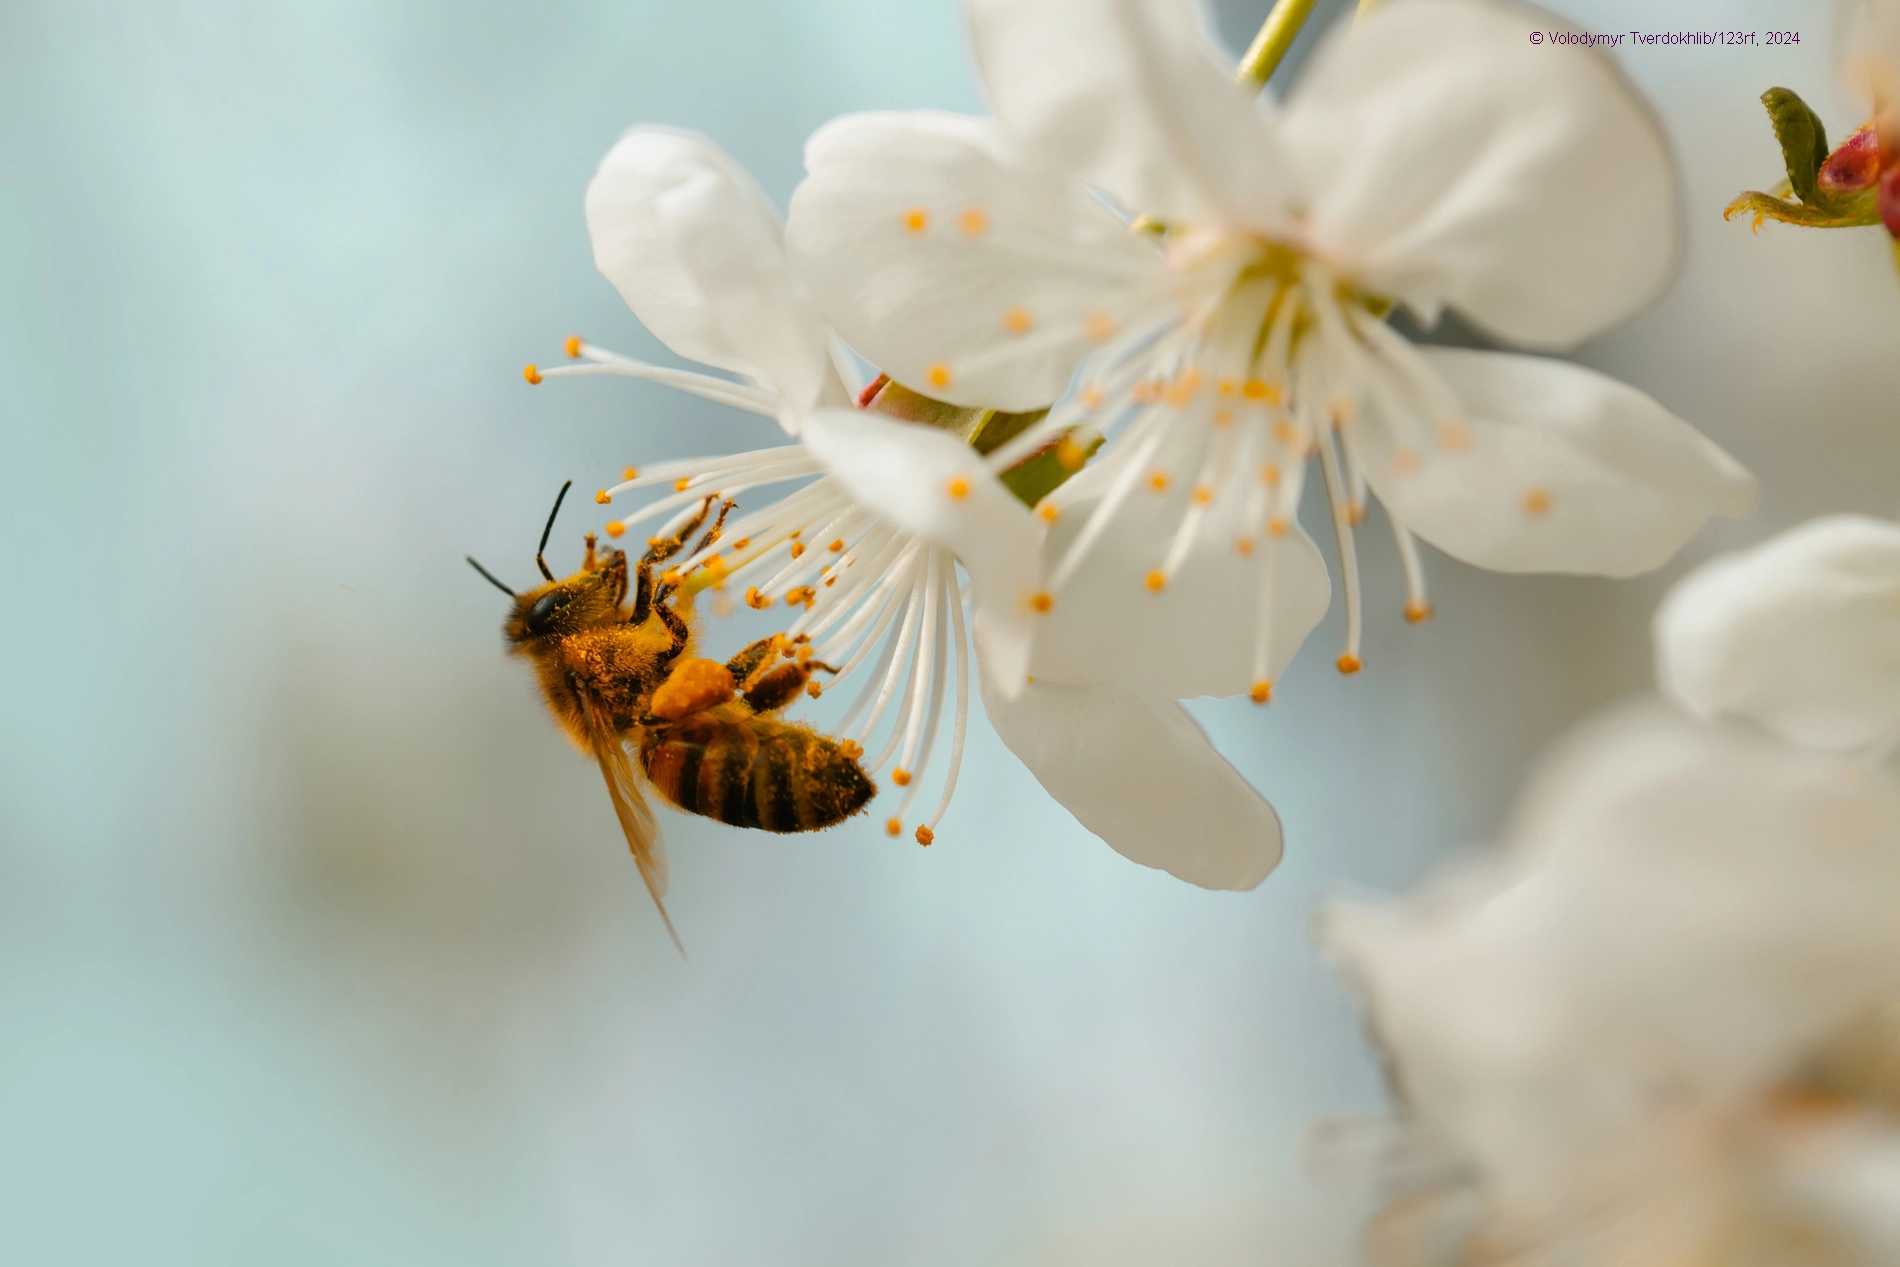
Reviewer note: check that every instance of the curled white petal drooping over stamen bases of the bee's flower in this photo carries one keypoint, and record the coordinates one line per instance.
(938, 487)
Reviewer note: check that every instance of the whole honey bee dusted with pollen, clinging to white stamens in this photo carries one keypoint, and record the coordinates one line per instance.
(622, 677)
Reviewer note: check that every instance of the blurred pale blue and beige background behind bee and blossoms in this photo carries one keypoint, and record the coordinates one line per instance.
(320, 945)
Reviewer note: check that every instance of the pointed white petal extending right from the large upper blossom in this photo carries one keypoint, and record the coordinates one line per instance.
(1567, 470)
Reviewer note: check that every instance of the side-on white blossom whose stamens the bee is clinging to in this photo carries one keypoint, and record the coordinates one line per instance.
(869, 540)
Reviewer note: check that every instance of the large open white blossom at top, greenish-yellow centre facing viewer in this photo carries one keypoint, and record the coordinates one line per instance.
(1432, 159)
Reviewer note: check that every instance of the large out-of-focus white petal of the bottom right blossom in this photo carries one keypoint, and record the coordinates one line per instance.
(1682, 907)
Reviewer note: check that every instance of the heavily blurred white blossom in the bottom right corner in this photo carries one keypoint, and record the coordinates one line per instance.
(1660, 1027)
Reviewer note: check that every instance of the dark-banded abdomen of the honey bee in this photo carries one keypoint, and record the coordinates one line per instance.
(751, 770)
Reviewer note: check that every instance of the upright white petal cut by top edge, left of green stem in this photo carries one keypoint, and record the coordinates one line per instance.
(1133, 98)
